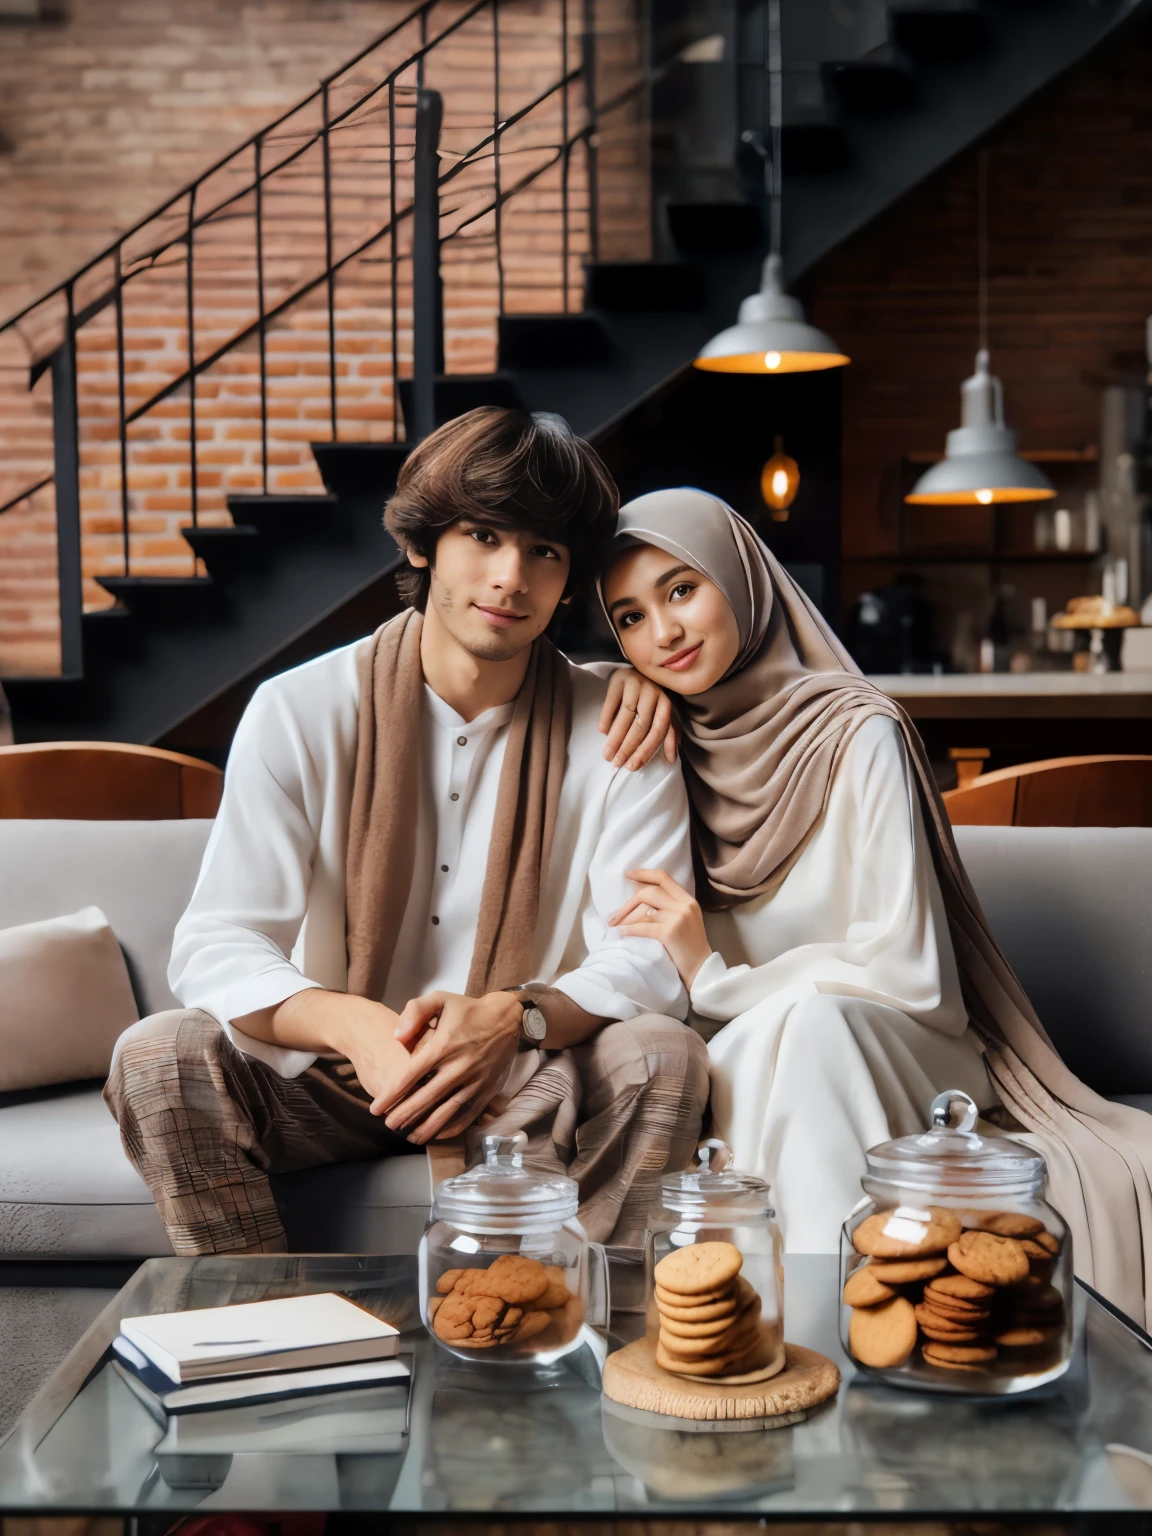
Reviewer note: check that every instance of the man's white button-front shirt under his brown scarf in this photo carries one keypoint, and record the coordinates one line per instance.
(266, 919)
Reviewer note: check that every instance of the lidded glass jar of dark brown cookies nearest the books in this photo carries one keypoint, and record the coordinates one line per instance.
(506, 1270)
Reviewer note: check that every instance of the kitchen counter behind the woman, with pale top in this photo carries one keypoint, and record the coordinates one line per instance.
(990, 697)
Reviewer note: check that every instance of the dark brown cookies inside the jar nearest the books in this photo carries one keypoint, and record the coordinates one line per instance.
(511, 1302)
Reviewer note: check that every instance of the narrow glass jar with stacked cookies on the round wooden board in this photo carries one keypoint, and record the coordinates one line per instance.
(715, 1279)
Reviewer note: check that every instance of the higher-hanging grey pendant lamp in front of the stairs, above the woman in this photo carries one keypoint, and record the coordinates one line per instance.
(772, 334)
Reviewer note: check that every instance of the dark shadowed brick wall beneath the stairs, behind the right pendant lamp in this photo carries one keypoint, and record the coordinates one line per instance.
(1071, 285)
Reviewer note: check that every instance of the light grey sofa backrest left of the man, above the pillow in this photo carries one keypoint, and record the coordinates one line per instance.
(141, 875)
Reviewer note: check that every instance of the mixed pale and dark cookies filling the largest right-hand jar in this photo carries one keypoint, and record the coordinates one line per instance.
(967, 1286)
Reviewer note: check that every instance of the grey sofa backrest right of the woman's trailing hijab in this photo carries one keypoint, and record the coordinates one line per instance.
(1073, 912)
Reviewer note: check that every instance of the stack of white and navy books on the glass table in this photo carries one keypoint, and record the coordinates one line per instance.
(220, 1379)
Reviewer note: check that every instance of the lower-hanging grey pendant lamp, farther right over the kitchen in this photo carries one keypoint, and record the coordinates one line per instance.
(981, 463)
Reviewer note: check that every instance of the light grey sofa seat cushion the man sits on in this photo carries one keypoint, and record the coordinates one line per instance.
(68, 1191)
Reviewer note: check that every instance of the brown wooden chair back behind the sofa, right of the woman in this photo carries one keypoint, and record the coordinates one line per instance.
(1064, 792)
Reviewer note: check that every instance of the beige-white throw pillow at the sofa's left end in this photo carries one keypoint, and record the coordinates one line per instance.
(65, 996)
